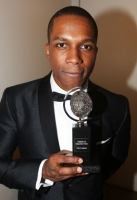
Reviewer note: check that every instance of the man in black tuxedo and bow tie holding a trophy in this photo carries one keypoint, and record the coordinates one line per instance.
(31, 120)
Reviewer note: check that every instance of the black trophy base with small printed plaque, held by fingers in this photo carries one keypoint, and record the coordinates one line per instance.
(83, 148)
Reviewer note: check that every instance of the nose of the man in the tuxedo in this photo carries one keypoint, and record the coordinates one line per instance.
(74, 56)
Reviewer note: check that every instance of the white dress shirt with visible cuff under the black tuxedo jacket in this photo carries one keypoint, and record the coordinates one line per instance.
(63, 125)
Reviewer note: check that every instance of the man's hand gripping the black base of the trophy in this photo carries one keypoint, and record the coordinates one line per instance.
(54, 170)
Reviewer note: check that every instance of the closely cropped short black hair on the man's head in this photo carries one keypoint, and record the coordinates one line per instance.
(72, 10)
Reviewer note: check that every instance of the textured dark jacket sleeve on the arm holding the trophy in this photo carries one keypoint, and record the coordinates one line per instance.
(21, 173)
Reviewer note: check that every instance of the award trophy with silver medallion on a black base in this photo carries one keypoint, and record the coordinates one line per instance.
(81, 105)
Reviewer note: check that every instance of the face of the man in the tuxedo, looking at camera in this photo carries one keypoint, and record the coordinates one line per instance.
(72, 50)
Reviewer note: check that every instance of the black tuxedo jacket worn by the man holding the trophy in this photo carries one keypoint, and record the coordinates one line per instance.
(27, 121)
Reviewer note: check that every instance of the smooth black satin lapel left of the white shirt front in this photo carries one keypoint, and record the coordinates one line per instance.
(47, 117)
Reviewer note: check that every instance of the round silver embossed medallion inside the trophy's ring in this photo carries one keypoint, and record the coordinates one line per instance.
(81, 104)
